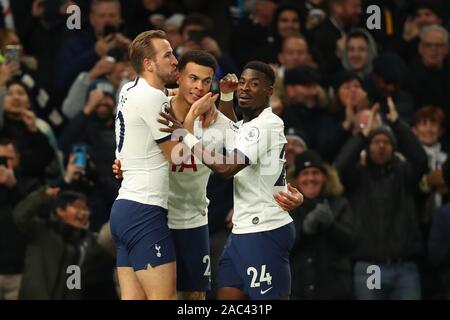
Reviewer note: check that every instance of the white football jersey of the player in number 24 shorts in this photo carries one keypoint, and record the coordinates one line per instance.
(262, 142)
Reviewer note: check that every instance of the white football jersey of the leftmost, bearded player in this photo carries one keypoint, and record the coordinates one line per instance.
(145, 169)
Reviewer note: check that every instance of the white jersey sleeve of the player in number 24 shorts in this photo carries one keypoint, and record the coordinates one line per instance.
(256, 139)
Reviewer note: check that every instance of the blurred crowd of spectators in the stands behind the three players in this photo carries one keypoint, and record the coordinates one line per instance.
(366, 113)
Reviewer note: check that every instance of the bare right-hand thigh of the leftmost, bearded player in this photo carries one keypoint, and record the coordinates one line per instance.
(159, 283)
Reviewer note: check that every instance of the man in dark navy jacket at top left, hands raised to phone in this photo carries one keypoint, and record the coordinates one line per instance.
(81, 52)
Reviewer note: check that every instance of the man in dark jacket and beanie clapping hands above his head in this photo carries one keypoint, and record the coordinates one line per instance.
(381, 192)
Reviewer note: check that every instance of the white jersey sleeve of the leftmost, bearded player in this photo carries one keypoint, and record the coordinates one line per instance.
(149, 108)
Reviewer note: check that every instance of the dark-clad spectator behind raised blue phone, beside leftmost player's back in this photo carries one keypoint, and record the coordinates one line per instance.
(94, 128)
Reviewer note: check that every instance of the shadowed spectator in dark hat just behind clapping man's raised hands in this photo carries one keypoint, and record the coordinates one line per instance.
(387, 80)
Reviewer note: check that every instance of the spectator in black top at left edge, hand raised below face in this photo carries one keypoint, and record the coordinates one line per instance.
(22, 126)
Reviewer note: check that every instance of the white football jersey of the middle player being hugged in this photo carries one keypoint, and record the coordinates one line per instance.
(188, 204)
